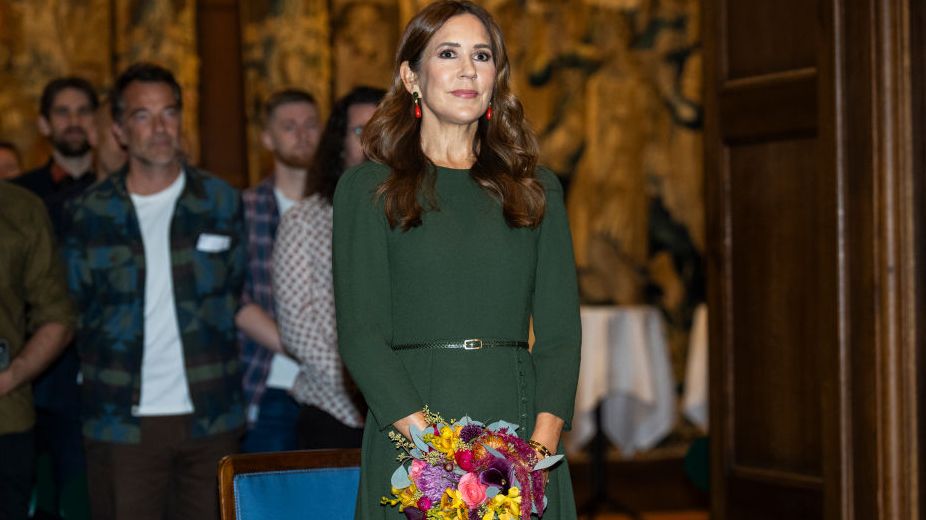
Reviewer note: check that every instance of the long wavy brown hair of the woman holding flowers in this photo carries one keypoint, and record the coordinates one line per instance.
(505, 148)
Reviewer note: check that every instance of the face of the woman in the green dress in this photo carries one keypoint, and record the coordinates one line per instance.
(456, 76)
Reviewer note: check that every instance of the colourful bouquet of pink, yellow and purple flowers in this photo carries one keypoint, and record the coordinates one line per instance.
(465, 470)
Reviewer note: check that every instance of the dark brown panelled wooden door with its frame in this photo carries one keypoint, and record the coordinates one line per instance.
(815, 253)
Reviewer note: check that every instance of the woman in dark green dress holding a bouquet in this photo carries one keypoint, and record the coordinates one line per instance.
(447, 248)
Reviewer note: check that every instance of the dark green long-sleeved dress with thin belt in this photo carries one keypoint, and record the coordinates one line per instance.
(464, 273)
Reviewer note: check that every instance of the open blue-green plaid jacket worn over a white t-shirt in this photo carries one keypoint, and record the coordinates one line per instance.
(105, 261)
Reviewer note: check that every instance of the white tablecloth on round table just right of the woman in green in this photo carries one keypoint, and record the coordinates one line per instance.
(626, 368)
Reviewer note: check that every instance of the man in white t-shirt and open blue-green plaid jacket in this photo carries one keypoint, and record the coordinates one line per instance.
(156, 261)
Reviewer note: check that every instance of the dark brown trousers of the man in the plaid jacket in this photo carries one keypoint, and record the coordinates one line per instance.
(169, 475)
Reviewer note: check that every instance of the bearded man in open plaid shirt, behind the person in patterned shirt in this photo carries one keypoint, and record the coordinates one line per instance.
(291, 133)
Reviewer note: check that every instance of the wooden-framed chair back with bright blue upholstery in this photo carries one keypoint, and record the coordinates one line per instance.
(300, 485)
